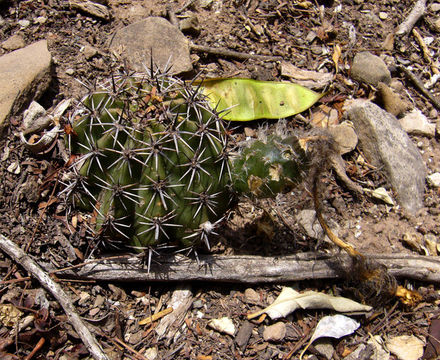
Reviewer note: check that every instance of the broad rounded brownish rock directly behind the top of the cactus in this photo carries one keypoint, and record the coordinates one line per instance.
(169, 46)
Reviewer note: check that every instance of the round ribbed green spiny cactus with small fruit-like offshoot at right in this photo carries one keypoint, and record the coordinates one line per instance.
(153, 162)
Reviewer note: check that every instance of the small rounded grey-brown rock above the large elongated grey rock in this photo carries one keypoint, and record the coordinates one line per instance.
(370, 69)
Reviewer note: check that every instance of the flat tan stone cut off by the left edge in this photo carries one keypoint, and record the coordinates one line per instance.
(24, 76)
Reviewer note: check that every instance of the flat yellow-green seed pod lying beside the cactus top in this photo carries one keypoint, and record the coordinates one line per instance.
(247, 99)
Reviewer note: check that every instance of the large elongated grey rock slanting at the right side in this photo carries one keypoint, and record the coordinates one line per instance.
(387, 145)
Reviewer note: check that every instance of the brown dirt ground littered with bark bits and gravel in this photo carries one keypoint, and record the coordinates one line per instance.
(301, 32)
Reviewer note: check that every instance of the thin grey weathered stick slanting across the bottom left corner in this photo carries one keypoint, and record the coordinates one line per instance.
(20, 257)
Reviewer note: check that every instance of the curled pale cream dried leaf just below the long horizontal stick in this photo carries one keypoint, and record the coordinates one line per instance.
(290, 300)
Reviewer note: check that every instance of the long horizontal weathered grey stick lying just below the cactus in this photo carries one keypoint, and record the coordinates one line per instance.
(251, 269)
